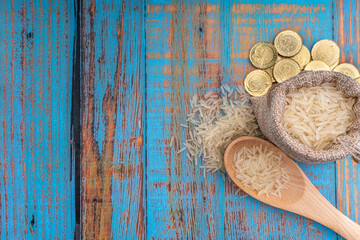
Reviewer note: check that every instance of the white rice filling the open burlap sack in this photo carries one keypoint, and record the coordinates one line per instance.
(317, 116)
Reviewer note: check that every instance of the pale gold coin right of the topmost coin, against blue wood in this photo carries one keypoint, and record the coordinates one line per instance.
(327, 51)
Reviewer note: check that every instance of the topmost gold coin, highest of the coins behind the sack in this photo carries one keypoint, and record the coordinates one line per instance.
(288, 43)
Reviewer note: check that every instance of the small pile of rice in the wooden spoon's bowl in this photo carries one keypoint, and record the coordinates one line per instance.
(261, 170)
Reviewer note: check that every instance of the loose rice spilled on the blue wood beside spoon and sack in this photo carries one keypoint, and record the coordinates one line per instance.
(215, 120)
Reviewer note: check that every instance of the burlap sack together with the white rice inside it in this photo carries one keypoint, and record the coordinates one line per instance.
(313, 117)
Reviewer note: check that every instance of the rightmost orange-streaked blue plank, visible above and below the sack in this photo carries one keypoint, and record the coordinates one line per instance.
(347, 35)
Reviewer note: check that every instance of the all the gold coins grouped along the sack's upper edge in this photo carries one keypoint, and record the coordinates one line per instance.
(287, 57)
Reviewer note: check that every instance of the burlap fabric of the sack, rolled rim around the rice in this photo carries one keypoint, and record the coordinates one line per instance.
(268, 110)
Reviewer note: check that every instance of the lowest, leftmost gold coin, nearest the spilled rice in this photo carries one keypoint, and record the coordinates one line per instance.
(257, 83)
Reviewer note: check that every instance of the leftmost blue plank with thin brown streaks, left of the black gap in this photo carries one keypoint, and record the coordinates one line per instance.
(36, 177)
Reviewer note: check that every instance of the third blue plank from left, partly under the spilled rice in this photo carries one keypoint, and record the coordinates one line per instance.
(183, 58)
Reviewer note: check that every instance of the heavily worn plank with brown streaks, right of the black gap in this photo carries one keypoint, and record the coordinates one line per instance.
(113, 91)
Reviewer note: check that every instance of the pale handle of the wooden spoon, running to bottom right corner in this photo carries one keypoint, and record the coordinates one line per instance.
(316, 207)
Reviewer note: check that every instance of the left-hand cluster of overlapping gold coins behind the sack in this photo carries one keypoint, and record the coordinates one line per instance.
(275, 63)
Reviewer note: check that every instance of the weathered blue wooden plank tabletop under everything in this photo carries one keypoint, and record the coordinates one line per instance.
(115, 77)
